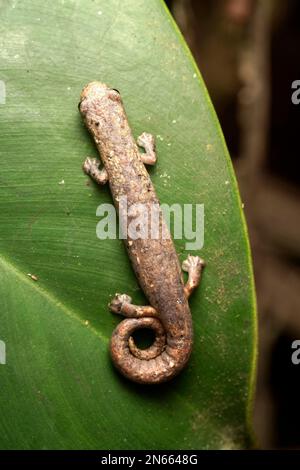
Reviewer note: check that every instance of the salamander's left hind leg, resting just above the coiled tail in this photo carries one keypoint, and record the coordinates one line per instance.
(121, 304)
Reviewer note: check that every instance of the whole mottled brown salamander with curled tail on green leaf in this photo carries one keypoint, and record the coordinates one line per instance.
(154, 261)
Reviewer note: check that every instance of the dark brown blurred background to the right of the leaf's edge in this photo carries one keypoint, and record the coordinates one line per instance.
(248, 52)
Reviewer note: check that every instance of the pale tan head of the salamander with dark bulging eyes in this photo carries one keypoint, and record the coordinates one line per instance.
(97, 92)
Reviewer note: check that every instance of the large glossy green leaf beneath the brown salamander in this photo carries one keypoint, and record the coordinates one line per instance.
(58, 387)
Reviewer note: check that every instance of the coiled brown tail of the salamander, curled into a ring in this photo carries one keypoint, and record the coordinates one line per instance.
(160, 362)
